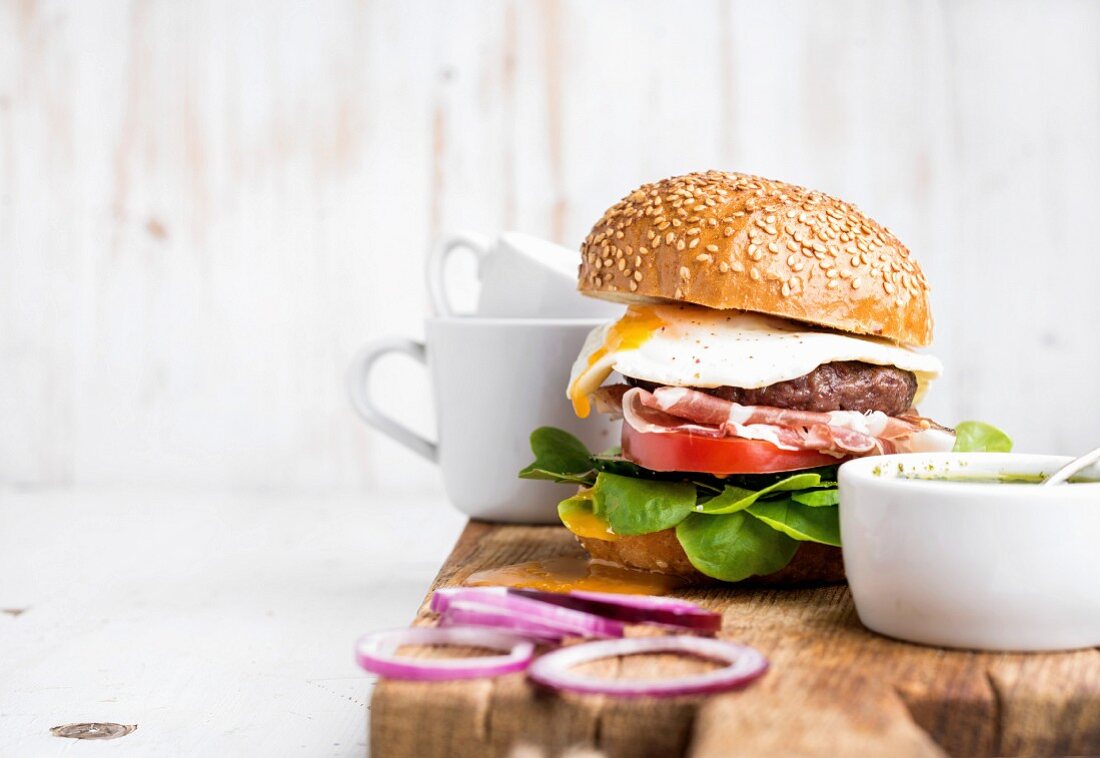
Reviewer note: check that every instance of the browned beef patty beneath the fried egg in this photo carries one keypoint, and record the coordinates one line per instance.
(846, 386)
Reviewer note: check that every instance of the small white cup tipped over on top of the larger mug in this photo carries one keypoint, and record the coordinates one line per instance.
(522, 277)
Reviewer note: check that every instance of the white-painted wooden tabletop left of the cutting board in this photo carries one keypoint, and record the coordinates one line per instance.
(221, 625)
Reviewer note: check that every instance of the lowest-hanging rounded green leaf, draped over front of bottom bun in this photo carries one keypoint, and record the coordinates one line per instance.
(733, 547)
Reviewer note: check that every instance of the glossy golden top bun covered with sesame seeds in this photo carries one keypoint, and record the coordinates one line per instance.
(729, 240)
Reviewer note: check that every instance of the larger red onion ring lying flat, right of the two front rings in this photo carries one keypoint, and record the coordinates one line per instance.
(746, 664)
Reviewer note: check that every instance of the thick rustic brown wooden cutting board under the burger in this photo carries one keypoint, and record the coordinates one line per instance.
(834, 689)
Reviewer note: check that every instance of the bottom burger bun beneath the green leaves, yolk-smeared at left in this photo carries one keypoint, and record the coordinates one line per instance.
(661, 552)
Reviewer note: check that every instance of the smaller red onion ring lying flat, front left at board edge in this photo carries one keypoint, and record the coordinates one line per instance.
(377, 653)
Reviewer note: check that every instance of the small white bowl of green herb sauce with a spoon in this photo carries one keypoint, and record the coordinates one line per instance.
(991, 567)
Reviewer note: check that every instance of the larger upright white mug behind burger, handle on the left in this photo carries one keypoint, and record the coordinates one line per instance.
(494, 382)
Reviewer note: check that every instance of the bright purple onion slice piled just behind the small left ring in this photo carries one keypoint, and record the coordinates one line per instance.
(534, 613)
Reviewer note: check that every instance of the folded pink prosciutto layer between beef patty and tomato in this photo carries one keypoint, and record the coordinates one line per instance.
(838, 433)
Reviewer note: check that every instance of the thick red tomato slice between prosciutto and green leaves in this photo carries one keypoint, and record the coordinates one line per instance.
(720, 456)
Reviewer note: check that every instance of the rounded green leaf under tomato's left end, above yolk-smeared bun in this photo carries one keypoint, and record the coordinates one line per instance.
(636, 507)
